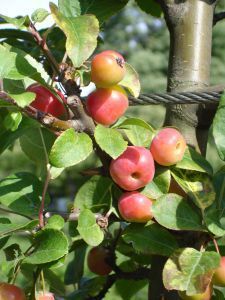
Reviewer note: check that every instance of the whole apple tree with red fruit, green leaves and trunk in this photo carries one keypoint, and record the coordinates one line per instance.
(147, 221)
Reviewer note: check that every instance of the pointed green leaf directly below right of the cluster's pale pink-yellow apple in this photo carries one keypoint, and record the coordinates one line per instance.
(192, 160)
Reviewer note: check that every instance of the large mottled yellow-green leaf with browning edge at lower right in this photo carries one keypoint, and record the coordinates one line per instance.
(190, 270)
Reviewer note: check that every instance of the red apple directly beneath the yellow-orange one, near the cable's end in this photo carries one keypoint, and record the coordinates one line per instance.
(106, 106)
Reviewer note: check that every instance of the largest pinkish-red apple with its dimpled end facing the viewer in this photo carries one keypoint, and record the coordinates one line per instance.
(133, 169)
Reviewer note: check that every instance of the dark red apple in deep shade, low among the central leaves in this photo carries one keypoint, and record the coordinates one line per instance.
(96, 261)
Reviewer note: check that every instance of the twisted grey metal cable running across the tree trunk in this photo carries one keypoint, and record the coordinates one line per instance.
(177, 98)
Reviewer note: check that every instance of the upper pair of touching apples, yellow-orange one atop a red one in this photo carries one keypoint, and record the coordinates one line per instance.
(109, 101)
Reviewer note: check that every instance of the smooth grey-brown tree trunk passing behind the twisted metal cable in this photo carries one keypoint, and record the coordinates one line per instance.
(190, 25)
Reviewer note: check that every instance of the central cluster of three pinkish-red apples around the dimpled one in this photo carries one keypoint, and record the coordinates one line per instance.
(135, 168)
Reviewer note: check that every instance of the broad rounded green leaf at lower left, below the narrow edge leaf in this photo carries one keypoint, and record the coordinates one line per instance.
(50, 245)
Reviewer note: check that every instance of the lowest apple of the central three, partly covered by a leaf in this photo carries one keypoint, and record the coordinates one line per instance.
(135, 207)
